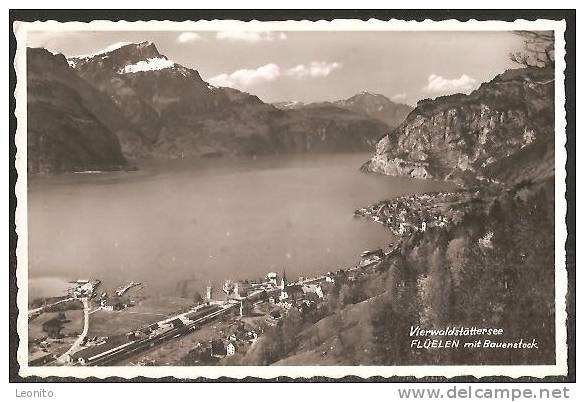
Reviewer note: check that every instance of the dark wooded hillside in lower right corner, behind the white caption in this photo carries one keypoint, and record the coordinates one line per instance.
(500, 251)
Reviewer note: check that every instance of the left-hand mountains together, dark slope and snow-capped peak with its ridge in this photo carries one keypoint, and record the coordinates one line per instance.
(151, 107)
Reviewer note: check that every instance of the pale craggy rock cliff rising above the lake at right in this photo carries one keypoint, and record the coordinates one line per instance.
(498, 131)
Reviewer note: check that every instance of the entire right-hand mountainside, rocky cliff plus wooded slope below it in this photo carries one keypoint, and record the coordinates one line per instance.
(493, 243)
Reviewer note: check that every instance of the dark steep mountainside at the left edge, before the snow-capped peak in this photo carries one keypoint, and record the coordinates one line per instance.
(71, 126)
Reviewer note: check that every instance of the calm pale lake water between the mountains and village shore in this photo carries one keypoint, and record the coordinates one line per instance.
(206, 220)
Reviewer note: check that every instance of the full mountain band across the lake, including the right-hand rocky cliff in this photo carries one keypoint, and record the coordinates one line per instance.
(114, 108)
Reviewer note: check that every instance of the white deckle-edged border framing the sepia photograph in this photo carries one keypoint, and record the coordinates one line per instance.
(21, 30)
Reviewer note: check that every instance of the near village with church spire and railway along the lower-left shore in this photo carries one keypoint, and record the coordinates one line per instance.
(222, 323)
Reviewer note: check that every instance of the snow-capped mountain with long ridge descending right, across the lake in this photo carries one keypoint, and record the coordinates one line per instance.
(180, 115)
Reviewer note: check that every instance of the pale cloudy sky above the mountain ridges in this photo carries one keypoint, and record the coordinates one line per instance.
(319, 66)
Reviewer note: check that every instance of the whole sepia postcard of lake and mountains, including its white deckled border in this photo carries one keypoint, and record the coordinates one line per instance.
(234, 199)
